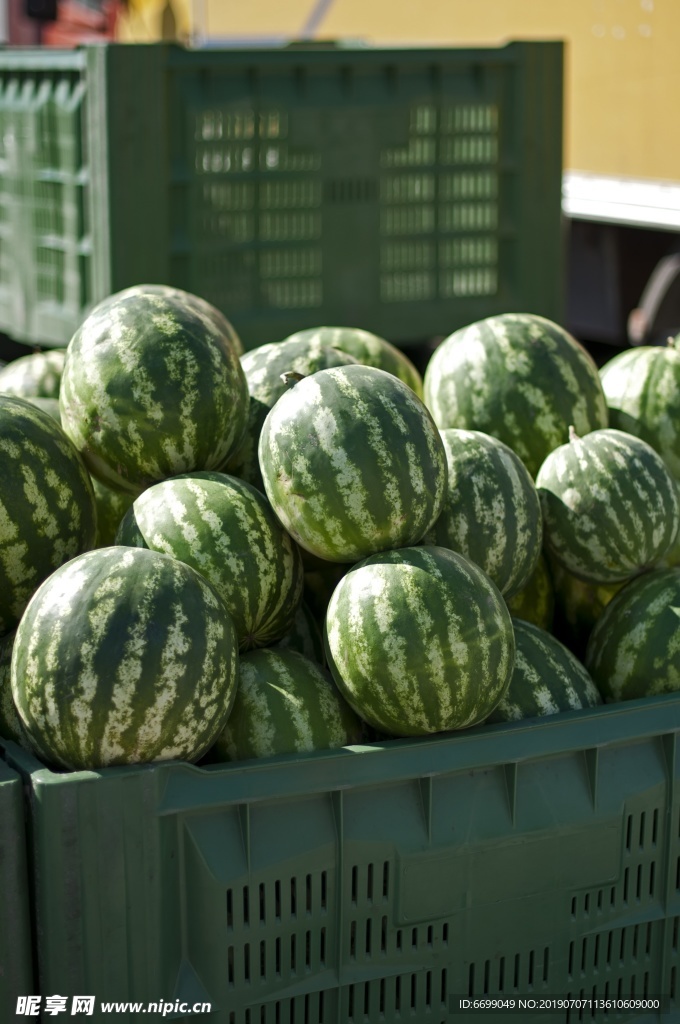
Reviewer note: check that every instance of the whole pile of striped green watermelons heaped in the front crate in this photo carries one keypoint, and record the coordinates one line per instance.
(211, 554)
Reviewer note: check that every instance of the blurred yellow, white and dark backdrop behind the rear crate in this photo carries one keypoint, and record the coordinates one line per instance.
(621, 183)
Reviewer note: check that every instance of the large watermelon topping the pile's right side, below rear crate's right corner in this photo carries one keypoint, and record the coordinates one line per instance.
(520, 377)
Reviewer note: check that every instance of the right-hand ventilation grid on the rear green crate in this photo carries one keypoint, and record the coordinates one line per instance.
(456, 206)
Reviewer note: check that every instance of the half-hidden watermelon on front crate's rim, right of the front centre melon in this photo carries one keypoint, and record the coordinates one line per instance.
(547, 678)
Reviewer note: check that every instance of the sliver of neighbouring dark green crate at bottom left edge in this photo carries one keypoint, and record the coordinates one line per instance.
(16, 946)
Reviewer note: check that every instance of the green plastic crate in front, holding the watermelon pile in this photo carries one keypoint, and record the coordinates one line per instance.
(377, 884)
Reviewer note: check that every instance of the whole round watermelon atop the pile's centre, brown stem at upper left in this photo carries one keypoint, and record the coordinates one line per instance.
(353, 463)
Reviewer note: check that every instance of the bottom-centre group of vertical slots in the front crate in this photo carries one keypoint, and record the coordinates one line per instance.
(409, 997)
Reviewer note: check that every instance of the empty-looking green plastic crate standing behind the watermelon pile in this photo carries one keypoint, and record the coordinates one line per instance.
(406, 192)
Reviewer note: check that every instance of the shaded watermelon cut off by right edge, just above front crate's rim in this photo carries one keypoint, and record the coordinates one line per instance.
(634, 649)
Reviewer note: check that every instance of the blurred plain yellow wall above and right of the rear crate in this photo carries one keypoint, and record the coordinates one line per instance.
(623, 59)
